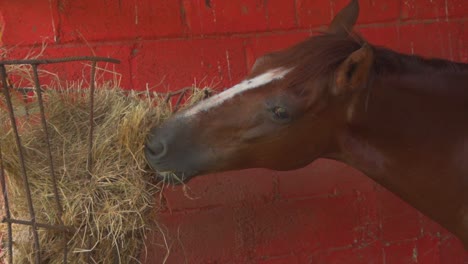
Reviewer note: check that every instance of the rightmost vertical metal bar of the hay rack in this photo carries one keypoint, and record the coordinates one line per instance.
(90, 145)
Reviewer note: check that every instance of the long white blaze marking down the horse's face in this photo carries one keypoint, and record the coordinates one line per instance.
(215, 100)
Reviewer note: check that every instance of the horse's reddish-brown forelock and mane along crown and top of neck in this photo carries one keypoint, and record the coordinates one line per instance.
(320, 55)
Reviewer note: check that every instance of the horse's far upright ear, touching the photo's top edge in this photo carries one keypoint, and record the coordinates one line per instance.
(344, 21)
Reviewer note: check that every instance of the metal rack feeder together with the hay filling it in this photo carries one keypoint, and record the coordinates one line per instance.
(72, 171)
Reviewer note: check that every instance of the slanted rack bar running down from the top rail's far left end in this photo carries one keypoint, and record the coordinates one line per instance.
(22, 162)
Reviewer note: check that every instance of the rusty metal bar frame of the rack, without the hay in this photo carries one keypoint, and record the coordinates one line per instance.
(32, 223)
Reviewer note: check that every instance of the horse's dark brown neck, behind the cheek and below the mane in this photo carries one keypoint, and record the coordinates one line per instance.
(403, 131)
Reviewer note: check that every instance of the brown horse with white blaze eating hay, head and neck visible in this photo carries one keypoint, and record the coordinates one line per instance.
(400, 119)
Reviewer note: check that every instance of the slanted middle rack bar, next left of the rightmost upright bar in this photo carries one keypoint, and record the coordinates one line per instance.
(49, 155)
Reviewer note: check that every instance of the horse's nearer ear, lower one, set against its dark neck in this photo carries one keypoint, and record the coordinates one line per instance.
(353, 73)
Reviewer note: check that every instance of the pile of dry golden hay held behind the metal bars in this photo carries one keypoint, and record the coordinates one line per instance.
(115, 203)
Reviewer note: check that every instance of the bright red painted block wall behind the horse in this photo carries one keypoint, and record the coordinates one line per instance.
(325, 213)
